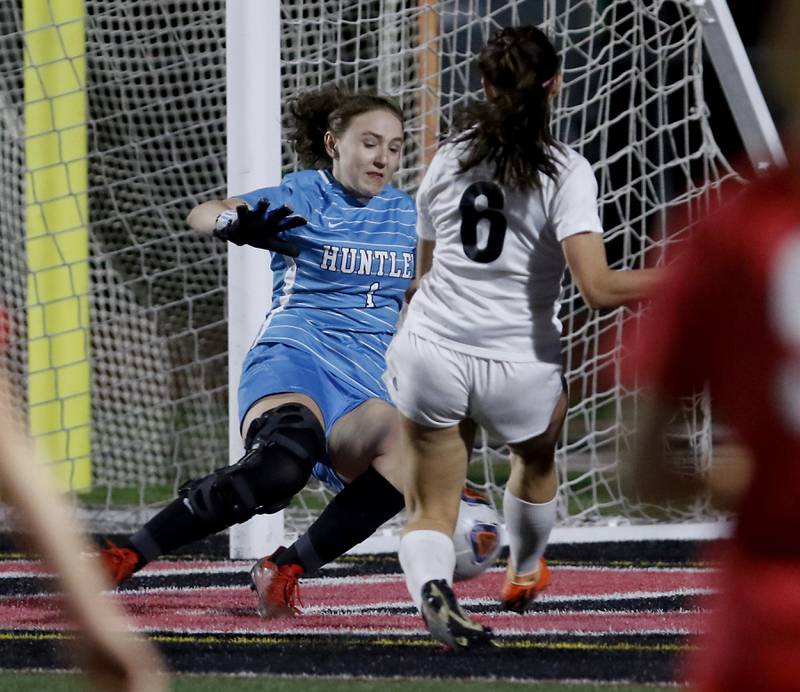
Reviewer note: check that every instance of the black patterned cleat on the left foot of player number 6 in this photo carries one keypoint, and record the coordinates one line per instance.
(447, 622)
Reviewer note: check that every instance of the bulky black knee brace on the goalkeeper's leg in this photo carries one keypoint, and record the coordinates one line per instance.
(282, 446)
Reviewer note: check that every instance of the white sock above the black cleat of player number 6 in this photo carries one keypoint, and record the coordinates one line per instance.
(426, 555)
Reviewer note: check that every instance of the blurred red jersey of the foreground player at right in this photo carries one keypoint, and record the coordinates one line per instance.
(729, 314)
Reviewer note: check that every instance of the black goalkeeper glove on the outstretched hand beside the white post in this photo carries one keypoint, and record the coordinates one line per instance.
(259, 227)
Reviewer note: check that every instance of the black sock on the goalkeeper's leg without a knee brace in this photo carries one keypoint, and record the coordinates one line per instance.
(350, 517)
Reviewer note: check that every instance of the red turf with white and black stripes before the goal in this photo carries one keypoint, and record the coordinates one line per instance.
(594, 600)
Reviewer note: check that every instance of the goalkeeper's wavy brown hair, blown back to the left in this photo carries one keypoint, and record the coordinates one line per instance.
(329, 108)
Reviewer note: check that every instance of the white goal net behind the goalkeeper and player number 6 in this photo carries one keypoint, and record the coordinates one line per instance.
(113, 128)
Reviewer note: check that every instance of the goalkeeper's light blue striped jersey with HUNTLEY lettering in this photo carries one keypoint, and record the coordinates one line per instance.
(340, 298)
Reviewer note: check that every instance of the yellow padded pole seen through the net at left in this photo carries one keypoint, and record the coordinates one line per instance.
(57, 236)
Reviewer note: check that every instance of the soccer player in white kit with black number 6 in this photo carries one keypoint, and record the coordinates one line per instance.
(502, 210)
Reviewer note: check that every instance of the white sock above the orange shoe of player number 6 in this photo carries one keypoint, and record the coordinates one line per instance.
(528, 525)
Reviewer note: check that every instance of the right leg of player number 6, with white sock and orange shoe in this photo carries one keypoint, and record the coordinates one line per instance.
(529, 506)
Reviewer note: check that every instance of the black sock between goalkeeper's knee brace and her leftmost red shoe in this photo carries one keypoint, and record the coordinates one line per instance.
(173, 527)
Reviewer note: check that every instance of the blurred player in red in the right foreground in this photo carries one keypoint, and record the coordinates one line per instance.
(729, 316)
